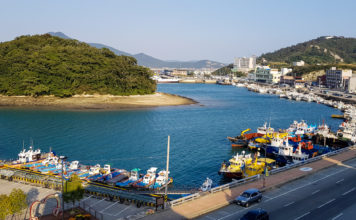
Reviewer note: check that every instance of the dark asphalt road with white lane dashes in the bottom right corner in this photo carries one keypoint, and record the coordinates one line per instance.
(328, 194)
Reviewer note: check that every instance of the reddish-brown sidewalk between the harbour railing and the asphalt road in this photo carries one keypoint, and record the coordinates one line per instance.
(215, 201)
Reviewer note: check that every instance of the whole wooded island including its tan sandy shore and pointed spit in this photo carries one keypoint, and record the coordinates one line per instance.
(48, 72)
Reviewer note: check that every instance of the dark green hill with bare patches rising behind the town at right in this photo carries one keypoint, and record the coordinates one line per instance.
(322, 50)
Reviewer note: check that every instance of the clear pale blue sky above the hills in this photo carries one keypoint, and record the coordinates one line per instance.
(182, 30)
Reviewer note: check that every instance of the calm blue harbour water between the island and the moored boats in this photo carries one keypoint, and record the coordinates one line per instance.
(138, 139)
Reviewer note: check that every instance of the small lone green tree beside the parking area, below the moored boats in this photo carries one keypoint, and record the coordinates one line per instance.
(73, 190)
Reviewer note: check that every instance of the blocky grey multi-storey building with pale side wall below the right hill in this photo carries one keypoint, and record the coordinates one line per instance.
(336, 79)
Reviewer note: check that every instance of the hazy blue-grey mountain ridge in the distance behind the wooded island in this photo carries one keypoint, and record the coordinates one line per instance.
(149, 61)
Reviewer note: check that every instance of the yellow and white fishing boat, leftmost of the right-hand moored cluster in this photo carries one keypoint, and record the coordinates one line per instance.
(236, 165)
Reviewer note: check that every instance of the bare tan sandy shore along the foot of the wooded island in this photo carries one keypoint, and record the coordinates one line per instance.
(94, 102)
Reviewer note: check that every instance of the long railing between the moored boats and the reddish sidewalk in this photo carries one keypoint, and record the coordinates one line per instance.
(254, 178)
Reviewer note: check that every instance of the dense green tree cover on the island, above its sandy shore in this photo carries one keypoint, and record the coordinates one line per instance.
(47, 65)
